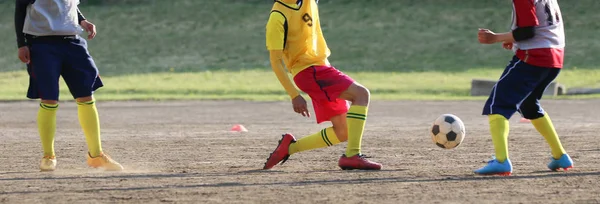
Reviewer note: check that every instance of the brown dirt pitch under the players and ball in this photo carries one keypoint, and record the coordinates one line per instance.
(184, 152)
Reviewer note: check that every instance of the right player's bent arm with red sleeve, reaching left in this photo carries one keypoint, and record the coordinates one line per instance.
(526, 22)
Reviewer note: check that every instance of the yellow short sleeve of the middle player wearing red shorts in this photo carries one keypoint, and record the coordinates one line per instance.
(276, 31)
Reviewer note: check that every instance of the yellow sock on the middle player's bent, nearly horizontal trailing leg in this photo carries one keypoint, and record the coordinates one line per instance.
(324, 138)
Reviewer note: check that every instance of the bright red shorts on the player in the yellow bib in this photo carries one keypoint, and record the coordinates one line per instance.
(324, 84)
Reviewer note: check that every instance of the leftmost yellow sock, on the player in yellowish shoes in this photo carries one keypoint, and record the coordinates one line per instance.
(47, 127)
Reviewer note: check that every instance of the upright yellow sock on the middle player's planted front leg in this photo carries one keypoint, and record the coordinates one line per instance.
(356, 118)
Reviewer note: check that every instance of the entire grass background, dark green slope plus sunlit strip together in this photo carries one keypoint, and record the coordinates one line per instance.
(401, 49)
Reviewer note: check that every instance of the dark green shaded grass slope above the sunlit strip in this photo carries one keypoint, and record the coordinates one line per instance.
(144, 36)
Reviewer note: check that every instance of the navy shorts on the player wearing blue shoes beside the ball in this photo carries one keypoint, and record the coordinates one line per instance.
(520, 88)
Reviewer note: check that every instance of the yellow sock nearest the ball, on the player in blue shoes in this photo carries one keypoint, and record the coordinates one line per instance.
(499, 129)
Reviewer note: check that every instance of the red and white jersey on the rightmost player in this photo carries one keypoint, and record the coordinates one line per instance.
(546, 48)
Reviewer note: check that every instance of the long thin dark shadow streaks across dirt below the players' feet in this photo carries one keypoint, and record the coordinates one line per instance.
(400, 179)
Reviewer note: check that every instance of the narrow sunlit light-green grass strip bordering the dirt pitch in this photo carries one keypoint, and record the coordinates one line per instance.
(261, 85)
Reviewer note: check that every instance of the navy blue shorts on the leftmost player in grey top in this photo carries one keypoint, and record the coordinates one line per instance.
(52, 57)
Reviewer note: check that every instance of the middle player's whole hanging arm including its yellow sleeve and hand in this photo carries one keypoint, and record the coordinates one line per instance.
(275, 44)
